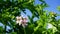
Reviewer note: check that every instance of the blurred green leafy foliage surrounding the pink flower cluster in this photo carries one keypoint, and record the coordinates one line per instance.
(9, 9)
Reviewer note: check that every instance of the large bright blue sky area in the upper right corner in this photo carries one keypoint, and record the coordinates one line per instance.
(53, 6)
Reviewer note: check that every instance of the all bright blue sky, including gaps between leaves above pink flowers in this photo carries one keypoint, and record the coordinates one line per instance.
(52, 7)
